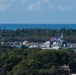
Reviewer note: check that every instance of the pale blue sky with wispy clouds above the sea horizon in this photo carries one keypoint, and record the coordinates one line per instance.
(38, 11)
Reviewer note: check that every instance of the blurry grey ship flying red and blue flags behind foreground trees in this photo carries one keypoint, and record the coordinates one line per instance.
(57, 43)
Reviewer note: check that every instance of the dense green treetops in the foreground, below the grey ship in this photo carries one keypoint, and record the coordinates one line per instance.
(34, 61)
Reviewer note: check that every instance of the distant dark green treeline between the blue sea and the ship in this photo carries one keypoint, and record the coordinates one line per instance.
(37, 35)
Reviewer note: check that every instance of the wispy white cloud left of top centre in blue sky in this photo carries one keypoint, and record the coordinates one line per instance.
(34, 6)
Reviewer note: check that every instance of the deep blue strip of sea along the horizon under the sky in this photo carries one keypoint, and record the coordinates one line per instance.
(53, 26)
